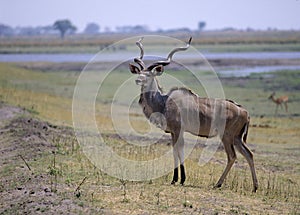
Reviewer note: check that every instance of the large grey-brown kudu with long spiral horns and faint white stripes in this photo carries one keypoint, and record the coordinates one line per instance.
(181, 111)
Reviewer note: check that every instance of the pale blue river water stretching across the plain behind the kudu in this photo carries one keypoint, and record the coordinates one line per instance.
(116, 56)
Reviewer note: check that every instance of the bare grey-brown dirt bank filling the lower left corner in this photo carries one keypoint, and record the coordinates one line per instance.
(23, 190)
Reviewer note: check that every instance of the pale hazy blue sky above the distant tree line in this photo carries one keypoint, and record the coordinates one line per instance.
(156, 14)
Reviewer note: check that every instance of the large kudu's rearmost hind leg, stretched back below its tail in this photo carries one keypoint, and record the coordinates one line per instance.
(243, 149)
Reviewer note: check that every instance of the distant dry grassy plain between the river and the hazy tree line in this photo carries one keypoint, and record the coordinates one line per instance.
(213, 41)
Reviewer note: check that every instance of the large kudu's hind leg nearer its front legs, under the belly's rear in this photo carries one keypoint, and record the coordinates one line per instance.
(231, 157)
